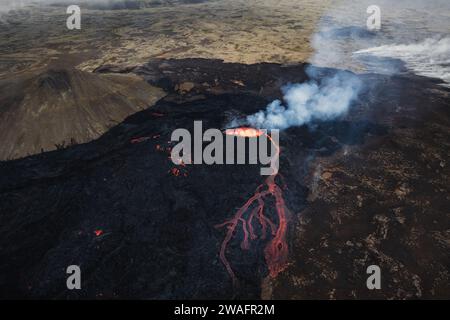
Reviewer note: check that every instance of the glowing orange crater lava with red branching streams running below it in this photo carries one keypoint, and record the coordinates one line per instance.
(276, 250)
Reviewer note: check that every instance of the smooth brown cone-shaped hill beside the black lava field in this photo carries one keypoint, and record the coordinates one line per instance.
(60, 106)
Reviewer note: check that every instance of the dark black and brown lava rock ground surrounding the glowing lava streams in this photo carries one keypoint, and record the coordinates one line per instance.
(369, 188)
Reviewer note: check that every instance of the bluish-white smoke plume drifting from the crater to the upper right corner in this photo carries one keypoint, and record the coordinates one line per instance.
(343, 41)
